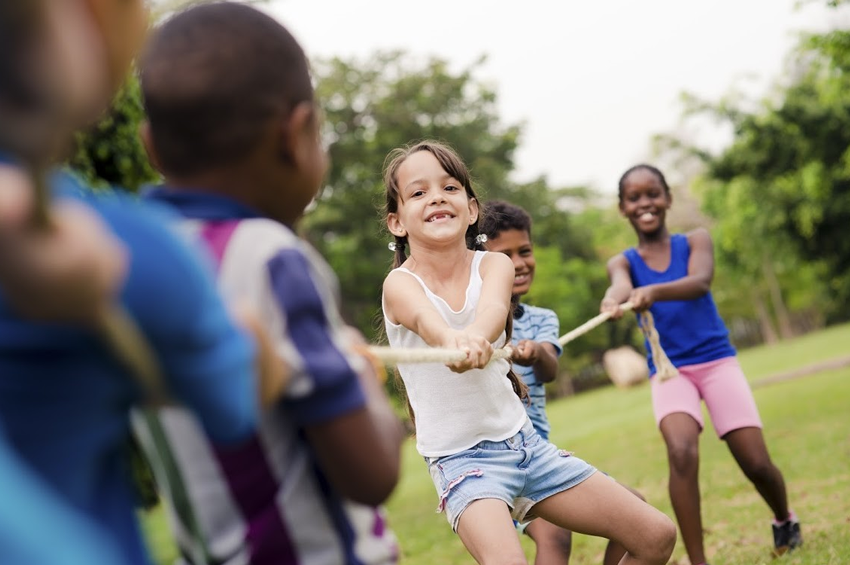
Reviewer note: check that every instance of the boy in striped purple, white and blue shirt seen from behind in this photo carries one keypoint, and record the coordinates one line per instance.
(235, 132)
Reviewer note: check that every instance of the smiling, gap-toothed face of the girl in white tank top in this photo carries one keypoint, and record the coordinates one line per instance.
(433, 206)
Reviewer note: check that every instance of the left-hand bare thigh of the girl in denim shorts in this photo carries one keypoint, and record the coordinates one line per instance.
(487, 531)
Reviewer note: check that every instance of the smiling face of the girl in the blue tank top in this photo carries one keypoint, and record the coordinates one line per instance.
(644, 201)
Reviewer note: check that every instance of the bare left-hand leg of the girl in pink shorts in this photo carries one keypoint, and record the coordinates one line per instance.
(681, 435)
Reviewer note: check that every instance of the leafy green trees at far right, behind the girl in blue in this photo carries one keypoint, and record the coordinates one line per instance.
(780, 193)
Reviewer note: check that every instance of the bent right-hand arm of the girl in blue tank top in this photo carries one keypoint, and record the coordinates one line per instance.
(695, 284)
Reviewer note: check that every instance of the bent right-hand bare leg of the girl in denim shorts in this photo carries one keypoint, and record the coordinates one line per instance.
(601, 507)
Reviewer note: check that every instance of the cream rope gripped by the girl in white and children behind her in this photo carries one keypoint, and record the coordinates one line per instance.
(396, 355)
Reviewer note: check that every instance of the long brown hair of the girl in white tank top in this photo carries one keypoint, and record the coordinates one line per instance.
(454, 166)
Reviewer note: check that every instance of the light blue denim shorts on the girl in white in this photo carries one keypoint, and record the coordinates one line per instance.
(521, 471)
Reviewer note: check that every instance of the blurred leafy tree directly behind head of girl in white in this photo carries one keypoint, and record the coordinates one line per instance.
(372, 106)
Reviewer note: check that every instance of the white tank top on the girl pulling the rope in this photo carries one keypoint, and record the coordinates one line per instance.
(455, 411)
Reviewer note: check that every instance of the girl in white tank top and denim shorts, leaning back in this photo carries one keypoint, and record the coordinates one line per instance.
(487, 463)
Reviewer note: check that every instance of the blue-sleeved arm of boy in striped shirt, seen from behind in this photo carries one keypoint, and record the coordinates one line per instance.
(345, 415)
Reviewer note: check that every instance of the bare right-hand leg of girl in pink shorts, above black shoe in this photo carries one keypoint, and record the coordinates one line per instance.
(749, 450)
